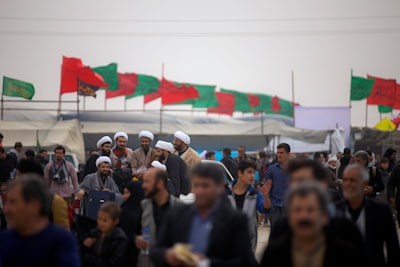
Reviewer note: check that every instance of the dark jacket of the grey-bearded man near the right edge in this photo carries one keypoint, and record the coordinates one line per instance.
(379, 229)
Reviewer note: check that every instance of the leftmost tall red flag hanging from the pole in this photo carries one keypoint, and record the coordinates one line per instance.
(69, 74)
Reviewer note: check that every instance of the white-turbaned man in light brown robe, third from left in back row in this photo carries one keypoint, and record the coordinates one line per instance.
(144, 155)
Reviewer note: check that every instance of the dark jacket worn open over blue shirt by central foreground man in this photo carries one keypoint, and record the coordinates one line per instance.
(229, 241)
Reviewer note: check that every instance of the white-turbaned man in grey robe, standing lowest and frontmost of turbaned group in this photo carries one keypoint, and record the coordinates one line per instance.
(100, 180)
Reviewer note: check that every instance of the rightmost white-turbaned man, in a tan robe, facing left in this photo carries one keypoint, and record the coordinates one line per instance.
(188, 154)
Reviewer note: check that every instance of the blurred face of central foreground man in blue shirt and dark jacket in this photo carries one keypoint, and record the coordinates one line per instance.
(206, 191)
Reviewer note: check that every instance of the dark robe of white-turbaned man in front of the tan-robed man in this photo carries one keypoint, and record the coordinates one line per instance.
(177, 171)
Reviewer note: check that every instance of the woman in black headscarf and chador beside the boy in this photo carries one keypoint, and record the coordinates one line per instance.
(131, 215)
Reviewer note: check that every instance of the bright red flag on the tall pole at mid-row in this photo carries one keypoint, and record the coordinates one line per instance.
(172, 93)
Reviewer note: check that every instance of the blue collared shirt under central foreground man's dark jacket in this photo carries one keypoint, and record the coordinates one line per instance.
(200, 231)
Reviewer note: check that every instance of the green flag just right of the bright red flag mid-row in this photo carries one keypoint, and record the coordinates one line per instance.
(206, 98)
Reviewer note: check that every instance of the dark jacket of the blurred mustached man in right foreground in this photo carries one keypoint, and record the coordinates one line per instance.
(339, 252)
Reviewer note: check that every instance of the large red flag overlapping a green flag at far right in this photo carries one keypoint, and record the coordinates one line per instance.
(383, 92)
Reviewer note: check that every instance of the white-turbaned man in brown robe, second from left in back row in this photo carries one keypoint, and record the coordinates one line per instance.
(121, 156)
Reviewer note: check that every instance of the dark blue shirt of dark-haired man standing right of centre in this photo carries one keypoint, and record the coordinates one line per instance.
(279, 184)
